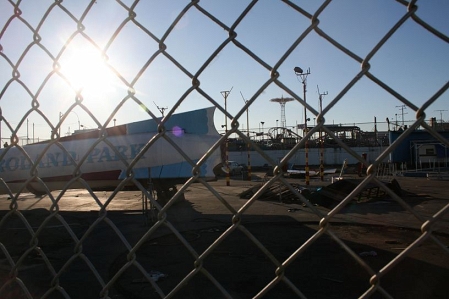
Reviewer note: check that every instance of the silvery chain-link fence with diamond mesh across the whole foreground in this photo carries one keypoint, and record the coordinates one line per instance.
(54, 268)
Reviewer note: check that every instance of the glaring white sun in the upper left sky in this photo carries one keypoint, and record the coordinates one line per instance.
(87, 72)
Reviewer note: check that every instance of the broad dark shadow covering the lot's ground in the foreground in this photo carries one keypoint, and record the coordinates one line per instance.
(323, 270)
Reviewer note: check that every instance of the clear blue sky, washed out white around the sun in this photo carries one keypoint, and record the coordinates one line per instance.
(413, 61)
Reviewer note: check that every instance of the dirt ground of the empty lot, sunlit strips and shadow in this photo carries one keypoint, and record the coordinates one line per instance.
(362, 239)
